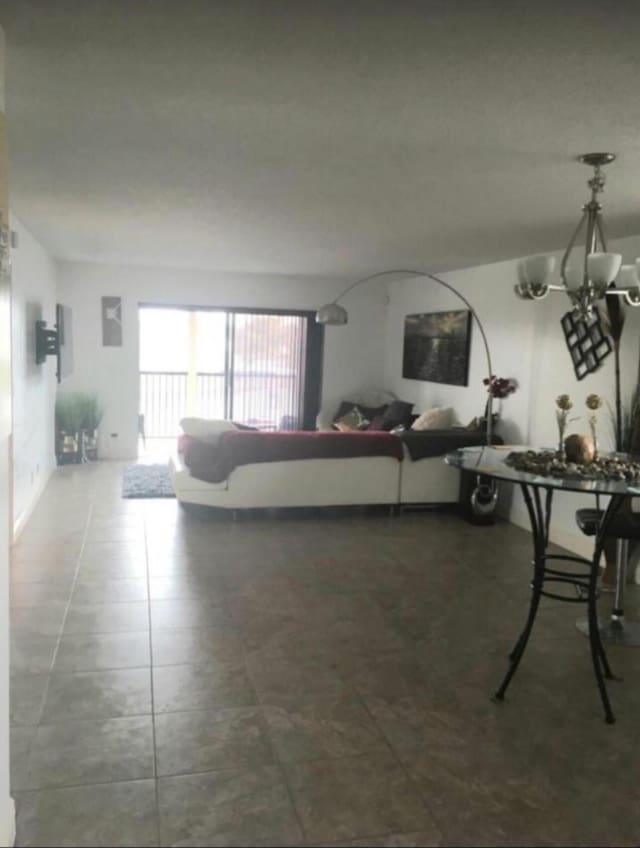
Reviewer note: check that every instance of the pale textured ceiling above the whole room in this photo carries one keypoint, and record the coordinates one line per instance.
(306, 138)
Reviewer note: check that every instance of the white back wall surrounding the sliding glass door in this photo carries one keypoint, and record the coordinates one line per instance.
(353, 359)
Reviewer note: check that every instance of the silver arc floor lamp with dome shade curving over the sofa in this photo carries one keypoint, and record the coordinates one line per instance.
(485, 494)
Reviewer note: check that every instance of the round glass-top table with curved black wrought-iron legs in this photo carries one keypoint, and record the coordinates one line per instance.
(538, 494)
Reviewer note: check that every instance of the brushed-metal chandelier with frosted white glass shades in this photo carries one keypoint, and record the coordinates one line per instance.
(594, 274)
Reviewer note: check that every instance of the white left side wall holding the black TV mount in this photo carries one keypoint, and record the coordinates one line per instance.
(34, 386)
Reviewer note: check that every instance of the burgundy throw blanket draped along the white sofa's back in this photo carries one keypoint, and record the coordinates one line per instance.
(214, 462)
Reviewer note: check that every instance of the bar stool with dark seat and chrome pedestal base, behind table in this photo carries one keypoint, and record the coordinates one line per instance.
(624, 527)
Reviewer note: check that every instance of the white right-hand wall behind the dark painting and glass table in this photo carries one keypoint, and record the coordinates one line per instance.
(527, 344)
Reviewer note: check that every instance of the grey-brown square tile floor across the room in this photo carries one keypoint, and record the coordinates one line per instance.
(181, 679)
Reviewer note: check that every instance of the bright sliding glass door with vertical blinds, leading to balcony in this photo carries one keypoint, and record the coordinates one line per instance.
(257, 368)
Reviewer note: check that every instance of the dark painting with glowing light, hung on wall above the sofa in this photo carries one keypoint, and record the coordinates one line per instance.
(436, 347)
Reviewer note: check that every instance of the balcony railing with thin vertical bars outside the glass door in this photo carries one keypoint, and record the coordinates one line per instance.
(265, 400)
